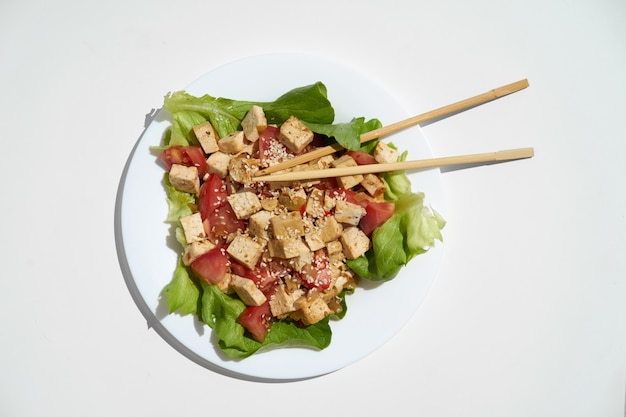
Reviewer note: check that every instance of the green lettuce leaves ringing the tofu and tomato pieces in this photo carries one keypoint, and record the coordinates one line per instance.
(412, 229)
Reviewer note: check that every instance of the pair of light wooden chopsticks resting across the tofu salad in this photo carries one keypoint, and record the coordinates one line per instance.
(506, 155)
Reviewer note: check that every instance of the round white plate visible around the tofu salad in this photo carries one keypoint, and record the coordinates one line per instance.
(375, 312)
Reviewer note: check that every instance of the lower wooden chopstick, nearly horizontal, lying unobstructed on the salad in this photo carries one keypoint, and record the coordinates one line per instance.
(505, 155)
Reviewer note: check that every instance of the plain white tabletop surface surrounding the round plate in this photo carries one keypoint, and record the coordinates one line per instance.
(527, 316)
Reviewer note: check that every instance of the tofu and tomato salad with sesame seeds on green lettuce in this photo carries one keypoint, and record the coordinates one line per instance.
(271, 264)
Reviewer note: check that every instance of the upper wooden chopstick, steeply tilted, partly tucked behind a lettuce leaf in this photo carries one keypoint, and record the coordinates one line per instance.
(412, 121)
